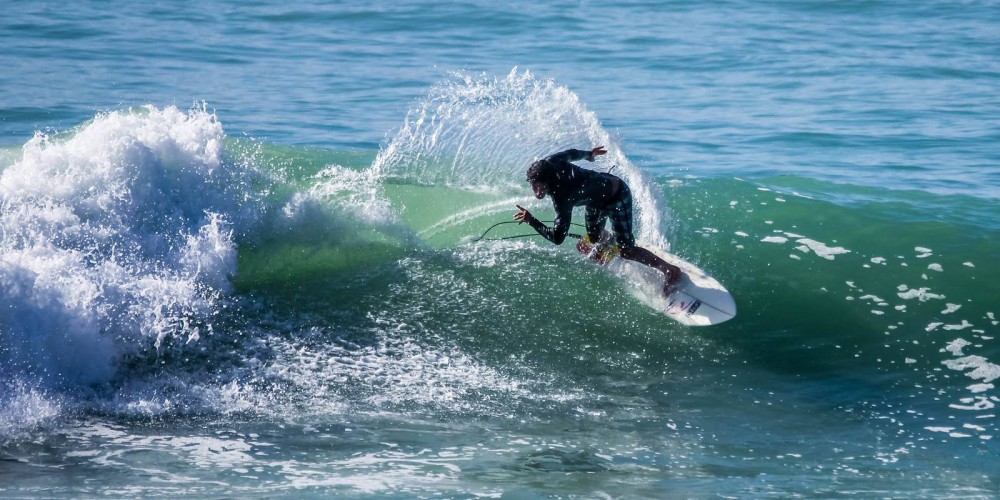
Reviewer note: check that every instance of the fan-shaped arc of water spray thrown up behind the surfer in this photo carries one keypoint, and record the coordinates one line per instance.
(481, 133)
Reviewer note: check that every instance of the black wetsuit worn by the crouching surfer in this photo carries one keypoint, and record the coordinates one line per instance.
(603, 194)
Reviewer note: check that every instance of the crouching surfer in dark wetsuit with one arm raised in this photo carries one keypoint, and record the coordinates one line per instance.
(604, 195)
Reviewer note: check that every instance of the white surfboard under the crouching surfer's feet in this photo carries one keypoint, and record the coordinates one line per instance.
(697, 300)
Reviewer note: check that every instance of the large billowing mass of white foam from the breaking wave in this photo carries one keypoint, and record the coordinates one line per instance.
(119, 233)
